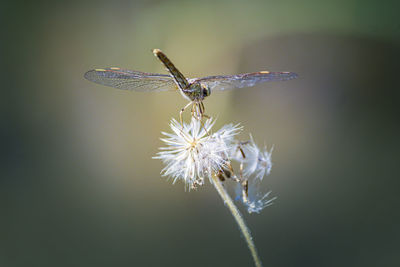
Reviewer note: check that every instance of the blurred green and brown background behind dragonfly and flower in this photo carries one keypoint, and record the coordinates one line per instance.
(78, 186)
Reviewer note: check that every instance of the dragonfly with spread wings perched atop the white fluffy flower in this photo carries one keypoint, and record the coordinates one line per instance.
(194, 89)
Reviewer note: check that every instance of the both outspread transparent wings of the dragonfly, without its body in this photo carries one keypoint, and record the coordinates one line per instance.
(152, 82)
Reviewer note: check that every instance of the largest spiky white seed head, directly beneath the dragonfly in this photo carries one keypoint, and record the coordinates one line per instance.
(193, 153)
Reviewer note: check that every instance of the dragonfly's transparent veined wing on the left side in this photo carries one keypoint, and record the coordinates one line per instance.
(131, 80)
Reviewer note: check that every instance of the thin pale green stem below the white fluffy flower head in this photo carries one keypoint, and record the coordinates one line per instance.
(239, 219)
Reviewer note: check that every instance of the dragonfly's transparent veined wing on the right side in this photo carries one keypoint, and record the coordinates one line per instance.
(227, 82)
